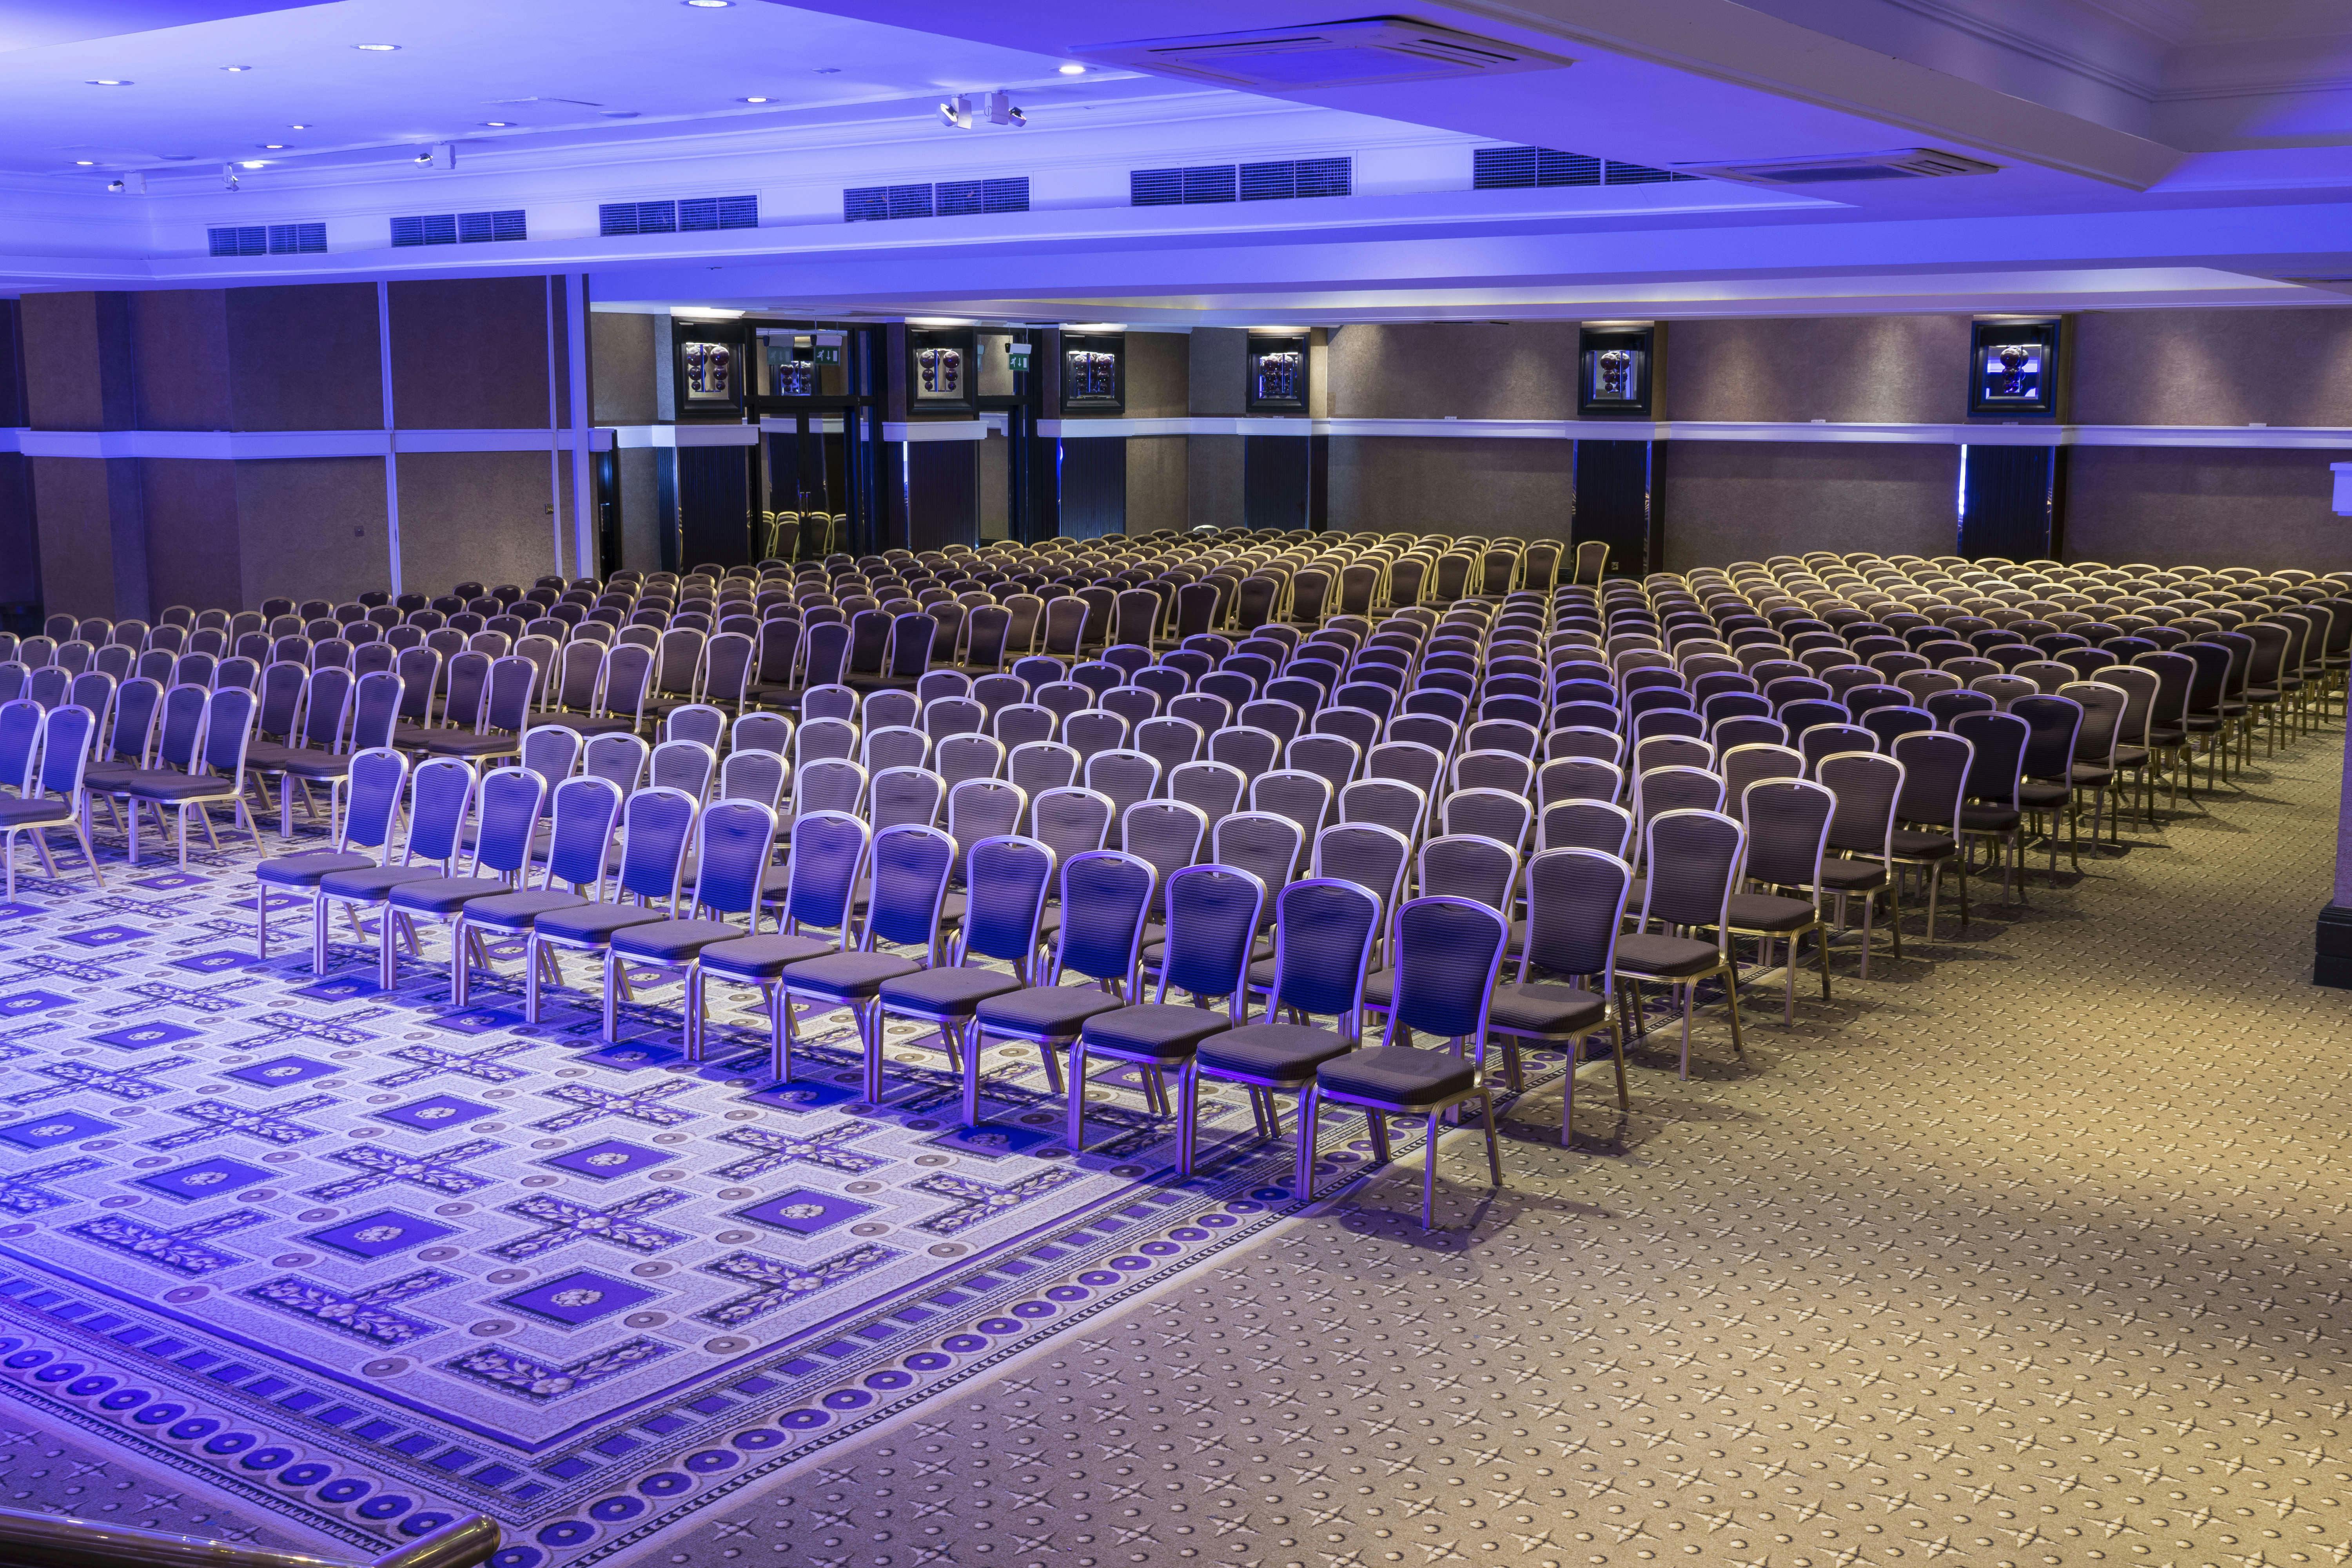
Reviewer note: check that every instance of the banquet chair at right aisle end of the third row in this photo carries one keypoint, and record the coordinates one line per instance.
(1695, 864)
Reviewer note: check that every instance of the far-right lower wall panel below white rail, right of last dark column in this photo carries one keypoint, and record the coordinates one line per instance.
(2205, 509)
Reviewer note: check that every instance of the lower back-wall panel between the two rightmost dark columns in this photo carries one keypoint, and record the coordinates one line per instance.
(1730, 502)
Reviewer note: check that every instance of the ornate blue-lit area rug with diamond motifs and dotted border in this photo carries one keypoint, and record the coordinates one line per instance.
(370, 1261)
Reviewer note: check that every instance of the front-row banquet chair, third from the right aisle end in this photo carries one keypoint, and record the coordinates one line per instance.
(1212, 918)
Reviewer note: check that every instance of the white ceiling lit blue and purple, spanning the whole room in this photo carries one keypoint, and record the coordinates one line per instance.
(2151, 154)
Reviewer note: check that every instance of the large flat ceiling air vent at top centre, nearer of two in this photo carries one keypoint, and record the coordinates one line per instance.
(1335, 55)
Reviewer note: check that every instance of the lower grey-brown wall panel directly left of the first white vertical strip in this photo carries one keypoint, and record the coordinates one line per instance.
(314, 528)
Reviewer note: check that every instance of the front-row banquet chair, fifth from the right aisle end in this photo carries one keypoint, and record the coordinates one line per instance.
(1005, 880)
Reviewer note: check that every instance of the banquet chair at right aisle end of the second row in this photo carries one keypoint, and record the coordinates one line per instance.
(1577, 909)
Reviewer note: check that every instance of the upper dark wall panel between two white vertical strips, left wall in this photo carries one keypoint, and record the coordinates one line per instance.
(472, 354)
